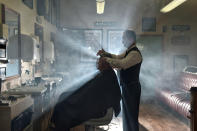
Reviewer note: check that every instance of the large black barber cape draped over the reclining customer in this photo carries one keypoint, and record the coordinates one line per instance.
(89, 101)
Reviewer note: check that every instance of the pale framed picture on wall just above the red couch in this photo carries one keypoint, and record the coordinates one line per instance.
(180, 62)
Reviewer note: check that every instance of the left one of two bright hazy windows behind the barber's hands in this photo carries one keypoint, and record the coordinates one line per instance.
(86, 41)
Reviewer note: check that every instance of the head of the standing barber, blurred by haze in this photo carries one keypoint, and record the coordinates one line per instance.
(128, 38)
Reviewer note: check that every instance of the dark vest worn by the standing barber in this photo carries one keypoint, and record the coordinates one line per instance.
(131, 75)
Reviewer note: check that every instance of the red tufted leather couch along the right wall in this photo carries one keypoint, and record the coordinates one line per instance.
(181, 96)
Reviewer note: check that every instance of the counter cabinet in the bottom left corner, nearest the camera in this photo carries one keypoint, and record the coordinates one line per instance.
(17, 114)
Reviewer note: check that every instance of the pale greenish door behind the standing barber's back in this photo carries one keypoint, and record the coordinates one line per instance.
(151, 48)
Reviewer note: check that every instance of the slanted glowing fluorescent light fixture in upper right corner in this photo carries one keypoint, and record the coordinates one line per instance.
(172, 5)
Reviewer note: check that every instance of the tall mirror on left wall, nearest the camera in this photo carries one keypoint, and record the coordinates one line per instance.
(12, 20)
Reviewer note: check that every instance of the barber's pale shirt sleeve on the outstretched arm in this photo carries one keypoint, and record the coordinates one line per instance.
(130, 60)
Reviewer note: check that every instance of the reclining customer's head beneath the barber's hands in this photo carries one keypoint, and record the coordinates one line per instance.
(102, 64)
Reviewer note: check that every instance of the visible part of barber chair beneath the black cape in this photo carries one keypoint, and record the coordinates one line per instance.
(92, 124)
